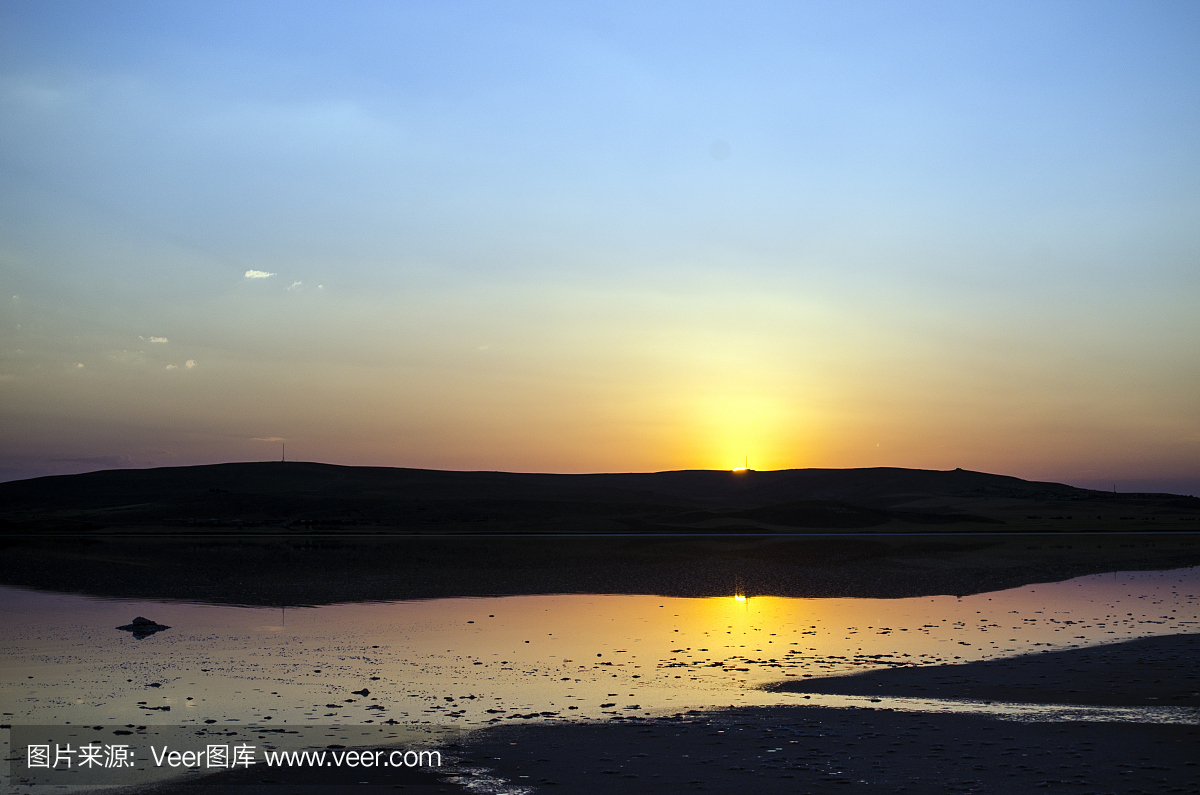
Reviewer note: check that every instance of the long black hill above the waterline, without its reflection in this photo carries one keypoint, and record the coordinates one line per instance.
(301, 497)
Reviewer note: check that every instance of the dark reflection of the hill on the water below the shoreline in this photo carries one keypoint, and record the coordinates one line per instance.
(301, 570)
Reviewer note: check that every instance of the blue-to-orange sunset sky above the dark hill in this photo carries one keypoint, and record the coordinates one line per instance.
(603, 237)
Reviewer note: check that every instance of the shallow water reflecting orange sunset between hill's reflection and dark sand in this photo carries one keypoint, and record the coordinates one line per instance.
(472, 661)
